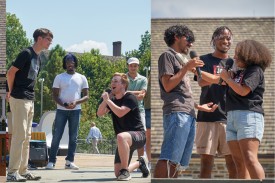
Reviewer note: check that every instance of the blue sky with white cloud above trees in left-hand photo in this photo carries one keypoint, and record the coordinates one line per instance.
(80, 25)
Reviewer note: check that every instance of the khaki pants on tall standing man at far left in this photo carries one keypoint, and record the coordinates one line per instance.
(22, 116)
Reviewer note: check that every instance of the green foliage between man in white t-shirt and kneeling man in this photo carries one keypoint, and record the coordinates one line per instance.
(98, 71)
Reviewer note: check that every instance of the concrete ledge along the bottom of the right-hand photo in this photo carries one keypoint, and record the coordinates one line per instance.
(154, 180)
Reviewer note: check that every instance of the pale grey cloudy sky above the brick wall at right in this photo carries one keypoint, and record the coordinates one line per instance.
(211, 8)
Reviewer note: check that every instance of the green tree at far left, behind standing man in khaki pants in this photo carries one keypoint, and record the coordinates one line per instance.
(16, 38)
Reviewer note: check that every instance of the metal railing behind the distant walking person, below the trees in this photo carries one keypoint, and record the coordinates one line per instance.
(104, 146)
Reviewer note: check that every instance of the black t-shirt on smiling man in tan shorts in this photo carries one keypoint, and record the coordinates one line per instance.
(213, 93)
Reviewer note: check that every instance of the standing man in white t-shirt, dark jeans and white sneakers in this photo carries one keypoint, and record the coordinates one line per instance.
(70, 90)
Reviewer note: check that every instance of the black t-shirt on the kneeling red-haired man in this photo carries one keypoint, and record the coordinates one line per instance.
(132, 120)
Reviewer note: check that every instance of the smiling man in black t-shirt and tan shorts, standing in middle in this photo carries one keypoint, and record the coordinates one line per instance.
(211, 127)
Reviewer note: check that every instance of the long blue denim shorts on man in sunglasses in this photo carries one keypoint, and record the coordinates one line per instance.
(178, 138)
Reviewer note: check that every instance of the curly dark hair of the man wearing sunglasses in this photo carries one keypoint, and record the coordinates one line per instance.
(179, 31)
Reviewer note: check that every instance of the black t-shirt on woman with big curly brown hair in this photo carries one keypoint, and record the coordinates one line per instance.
(253, 77)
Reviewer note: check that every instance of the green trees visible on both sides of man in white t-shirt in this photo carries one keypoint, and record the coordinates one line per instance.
(98, 71)
